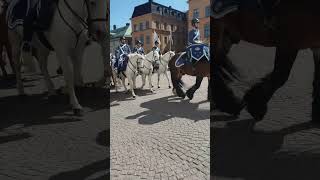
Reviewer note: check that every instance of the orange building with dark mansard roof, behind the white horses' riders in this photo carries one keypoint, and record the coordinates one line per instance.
(153, 17)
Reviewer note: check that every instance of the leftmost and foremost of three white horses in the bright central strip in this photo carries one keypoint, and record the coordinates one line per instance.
(135, 63)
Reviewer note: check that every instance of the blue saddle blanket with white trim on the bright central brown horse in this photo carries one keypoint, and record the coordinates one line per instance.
(196, 51)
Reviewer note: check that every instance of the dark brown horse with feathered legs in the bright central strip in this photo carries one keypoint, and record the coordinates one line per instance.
(201, 69)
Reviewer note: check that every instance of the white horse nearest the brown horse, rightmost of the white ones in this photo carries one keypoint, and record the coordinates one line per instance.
(163, 66)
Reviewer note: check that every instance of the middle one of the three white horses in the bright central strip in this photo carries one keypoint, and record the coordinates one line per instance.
(147, 68)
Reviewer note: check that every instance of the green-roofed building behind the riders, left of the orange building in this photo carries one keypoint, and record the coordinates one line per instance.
(117, 33)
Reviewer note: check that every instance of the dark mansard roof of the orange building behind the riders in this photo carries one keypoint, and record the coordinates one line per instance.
(153, 7)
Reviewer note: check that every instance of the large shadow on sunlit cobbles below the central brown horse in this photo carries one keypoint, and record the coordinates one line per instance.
(168, 107)
